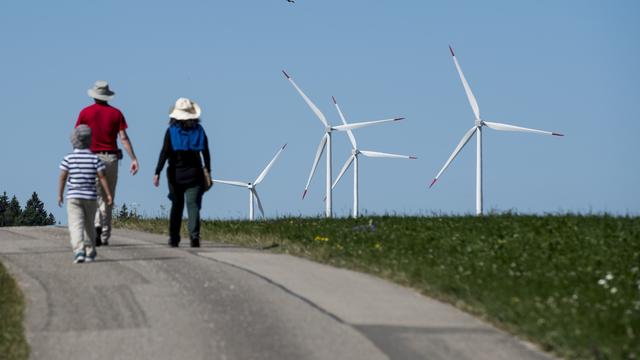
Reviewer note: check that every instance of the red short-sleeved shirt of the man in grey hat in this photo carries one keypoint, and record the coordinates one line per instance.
(105, 122)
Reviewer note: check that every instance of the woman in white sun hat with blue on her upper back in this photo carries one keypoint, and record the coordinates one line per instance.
(184, 141)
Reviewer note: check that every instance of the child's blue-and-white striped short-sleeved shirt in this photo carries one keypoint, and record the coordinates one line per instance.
(82, 166)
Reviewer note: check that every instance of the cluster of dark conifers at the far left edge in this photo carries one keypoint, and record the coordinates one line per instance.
(33, 214)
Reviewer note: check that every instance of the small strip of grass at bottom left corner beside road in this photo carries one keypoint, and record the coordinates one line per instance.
(13, 344)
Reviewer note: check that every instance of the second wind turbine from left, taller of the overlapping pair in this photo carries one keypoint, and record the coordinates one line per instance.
(326, 142)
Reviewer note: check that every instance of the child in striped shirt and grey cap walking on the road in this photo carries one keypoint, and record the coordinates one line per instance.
(79, 170)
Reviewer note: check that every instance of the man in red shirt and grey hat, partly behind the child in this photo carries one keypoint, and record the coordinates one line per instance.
(107, 124)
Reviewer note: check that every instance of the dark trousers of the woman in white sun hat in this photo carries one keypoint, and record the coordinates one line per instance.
(193, 196)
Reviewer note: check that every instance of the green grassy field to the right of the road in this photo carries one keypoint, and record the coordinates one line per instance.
(570, 283)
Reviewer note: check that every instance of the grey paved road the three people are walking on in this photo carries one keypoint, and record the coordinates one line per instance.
(143, 300)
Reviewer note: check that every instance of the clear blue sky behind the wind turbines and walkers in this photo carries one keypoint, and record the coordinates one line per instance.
(565, 66)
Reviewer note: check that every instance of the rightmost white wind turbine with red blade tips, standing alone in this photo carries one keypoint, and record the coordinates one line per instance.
(477, 129)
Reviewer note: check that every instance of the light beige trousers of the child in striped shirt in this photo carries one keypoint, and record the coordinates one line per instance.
(80, 214)
